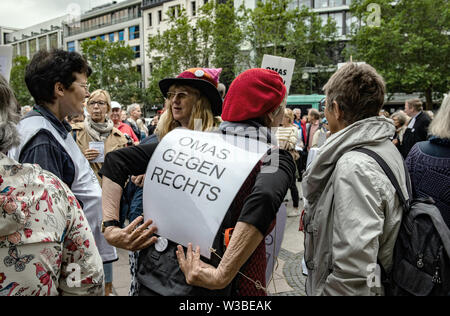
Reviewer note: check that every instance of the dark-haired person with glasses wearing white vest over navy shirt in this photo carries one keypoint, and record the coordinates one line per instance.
(57, 80)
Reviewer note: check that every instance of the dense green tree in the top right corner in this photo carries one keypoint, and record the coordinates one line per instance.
(410, 47)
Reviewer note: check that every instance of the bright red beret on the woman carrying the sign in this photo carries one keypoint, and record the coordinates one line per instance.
(252, 94)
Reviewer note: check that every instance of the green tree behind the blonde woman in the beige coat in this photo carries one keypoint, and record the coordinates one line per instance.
(113, 70)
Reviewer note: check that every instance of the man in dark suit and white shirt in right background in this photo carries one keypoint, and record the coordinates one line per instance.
(417, 130)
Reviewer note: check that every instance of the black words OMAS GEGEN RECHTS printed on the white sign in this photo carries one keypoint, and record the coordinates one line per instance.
(189, 160)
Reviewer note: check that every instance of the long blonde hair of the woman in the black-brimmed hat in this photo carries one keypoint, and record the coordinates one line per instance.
(201, 111)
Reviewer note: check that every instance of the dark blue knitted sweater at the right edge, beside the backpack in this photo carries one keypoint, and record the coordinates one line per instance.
(429, 166)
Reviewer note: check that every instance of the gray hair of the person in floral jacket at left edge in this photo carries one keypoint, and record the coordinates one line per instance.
(9, 117)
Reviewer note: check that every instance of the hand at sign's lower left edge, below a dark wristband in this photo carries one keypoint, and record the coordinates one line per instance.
(133, 237)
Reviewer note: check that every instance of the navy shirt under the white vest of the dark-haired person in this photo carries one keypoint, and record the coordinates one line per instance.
(43, 149)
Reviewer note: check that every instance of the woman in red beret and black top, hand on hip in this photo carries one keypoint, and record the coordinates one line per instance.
(255, 102)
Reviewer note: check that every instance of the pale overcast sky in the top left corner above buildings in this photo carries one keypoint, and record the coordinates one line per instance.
(25, 13)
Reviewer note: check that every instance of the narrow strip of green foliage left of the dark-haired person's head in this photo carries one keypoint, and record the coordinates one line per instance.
(17, 81)
